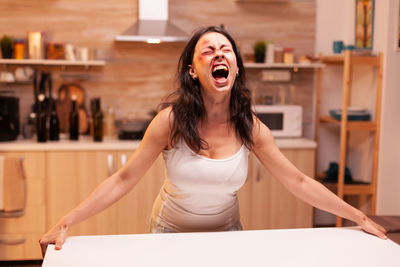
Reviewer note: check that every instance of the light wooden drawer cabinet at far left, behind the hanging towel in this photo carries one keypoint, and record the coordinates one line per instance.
(19, 235)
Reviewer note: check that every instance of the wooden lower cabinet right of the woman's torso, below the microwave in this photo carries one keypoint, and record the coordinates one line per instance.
(266, 204)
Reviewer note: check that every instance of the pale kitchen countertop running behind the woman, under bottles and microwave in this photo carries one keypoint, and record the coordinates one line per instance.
(86, 143)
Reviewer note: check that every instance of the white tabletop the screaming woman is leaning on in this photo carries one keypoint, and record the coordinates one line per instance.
(294, 247)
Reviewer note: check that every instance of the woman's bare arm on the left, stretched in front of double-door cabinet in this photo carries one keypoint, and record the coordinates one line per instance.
(118, 184)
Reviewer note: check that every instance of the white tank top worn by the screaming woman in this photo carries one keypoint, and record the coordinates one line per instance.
(199, 193)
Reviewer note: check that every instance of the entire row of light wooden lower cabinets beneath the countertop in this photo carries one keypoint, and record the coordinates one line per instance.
(59, 180)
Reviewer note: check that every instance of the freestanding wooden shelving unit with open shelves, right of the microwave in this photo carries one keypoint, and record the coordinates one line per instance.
(364, 190)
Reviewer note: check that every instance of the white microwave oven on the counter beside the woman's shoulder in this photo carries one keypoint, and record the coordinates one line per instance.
(282, 120)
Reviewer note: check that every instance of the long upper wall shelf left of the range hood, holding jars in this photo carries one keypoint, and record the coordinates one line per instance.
(52, 62)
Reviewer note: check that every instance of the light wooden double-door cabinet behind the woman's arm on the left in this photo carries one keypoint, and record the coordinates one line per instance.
(74, 175)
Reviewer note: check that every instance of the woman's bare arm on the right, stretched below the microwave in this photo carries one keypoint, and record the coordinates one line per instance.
(304, 187)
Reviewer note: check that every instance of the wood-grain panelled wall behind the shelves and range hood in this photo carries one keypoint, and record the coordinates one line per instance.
(137, 76)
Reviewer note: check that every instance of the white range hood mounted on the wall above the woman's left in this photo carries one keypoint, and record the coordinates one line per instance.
(153, 25)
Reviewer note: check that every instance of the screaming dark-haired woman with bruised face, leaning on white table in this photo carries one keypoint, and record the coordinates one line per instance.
(205, 135)
